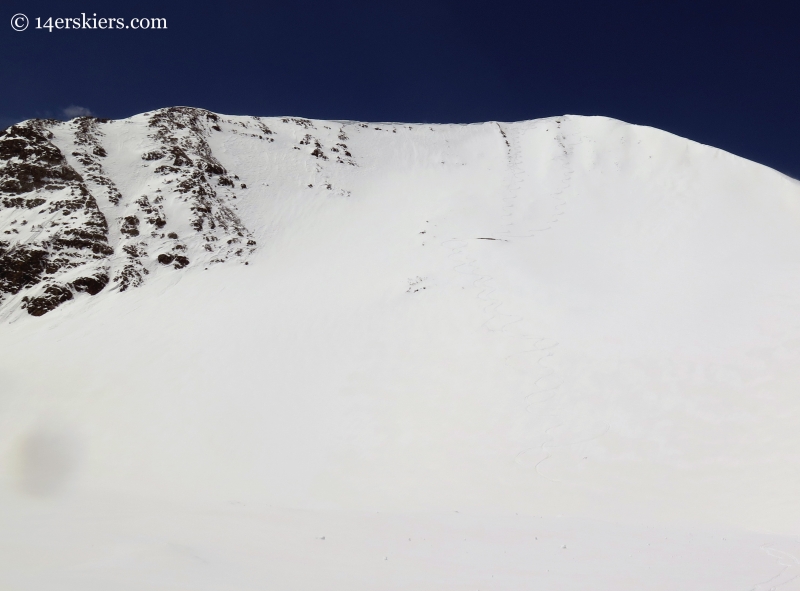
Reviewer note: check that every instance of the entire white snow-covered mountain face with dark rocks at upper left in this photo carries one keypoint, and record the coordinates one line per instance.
(448, 350)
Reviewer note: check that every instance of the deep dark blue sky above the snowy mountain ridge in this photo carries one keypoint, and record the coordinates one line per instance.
(722, 73)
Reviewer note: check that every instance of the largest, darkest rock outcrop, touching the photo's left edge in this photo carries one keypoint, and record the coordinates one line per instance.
(54, 240)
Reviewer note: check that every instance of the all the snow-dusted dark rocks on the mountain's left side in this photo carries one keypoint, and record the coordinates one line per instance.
(67, 228)
